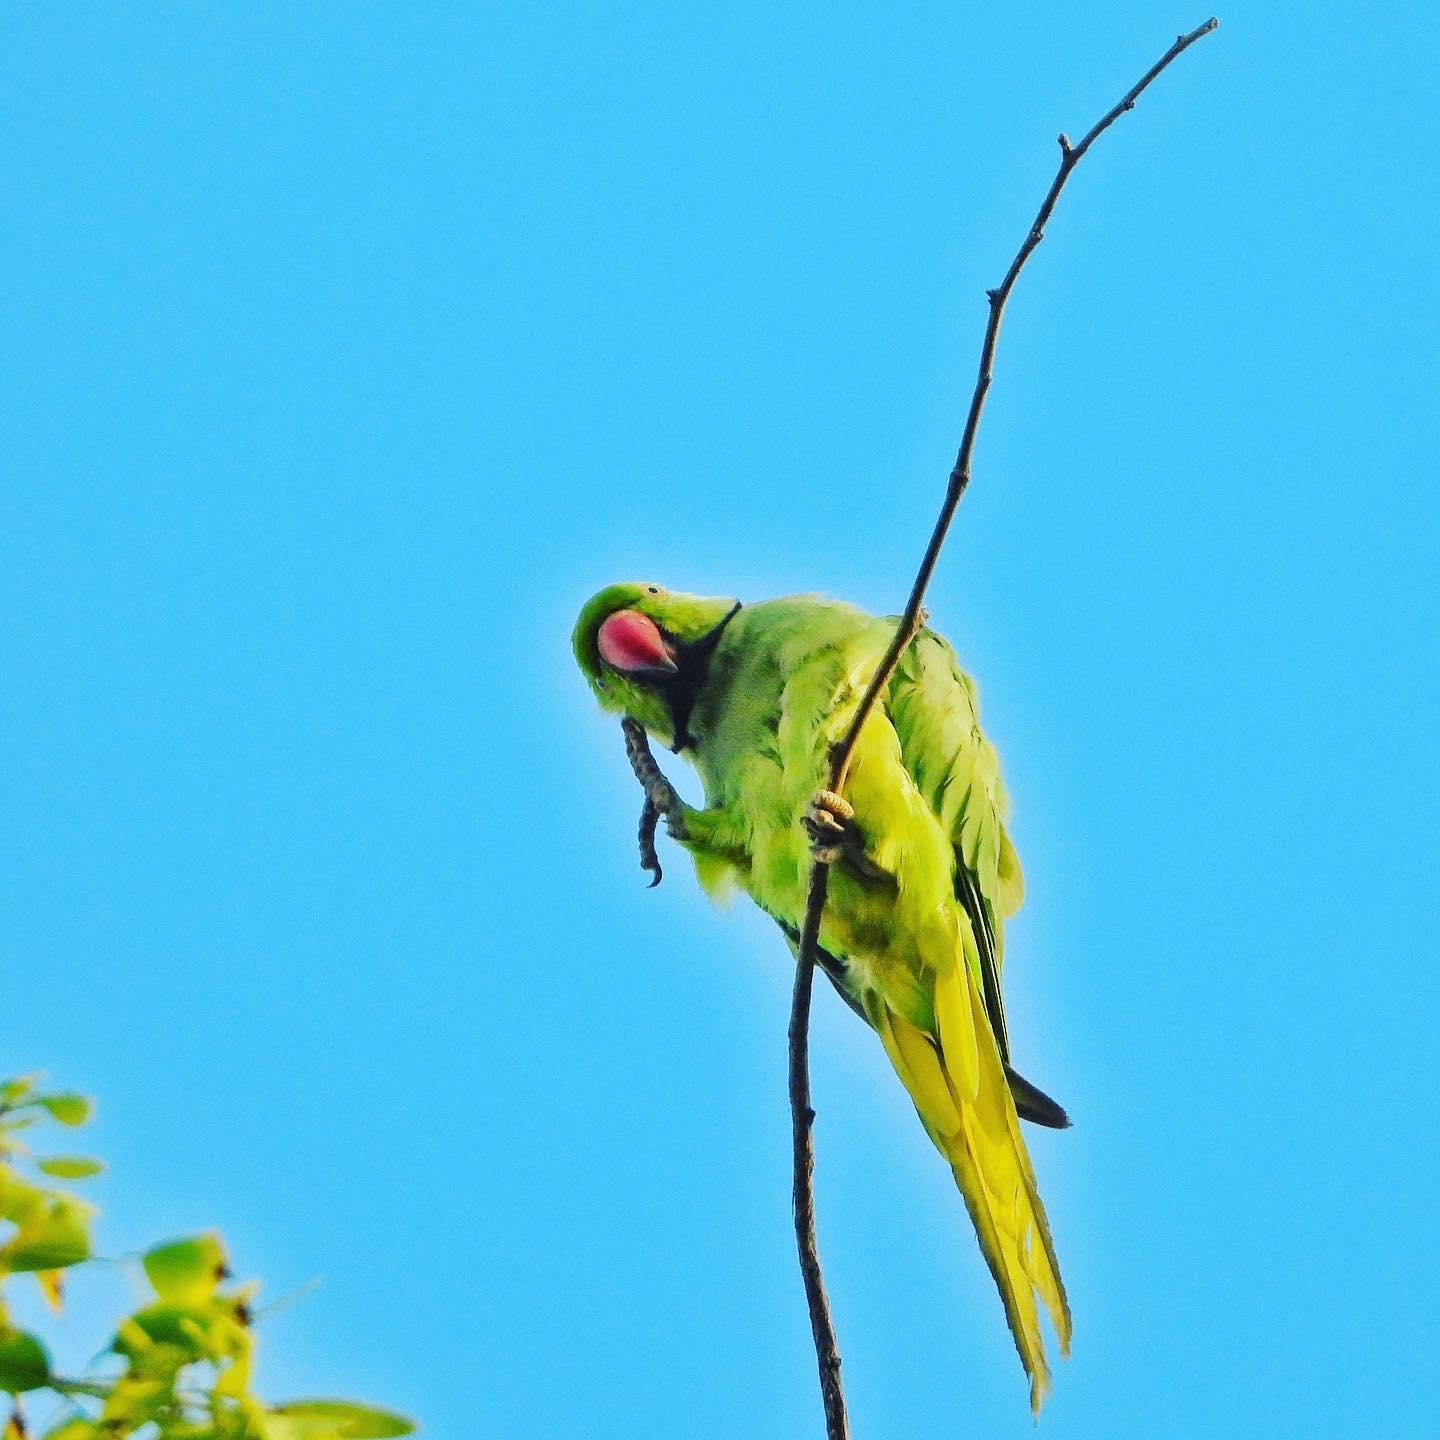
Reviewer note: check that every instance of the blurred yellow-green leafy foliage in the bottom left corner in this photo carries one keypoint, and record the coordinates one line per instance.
(179, 1367)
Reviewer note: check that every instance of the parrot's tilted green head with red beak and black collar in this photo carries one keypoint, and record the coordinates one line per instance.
(646, 653)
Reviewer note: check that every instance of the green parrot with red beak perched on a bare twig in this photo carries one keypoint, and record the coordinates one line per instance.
(922, 872)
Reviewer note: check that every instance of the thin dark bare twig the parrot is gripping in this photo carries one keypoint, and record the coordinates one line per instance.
(803, 1117)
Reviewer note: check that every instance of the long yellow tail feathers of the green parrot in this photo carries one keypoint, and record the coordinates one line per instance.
(958, 1085)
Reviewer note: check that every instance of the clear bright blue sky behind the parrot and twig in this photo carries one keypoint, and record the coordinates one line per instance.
(349, 348)
